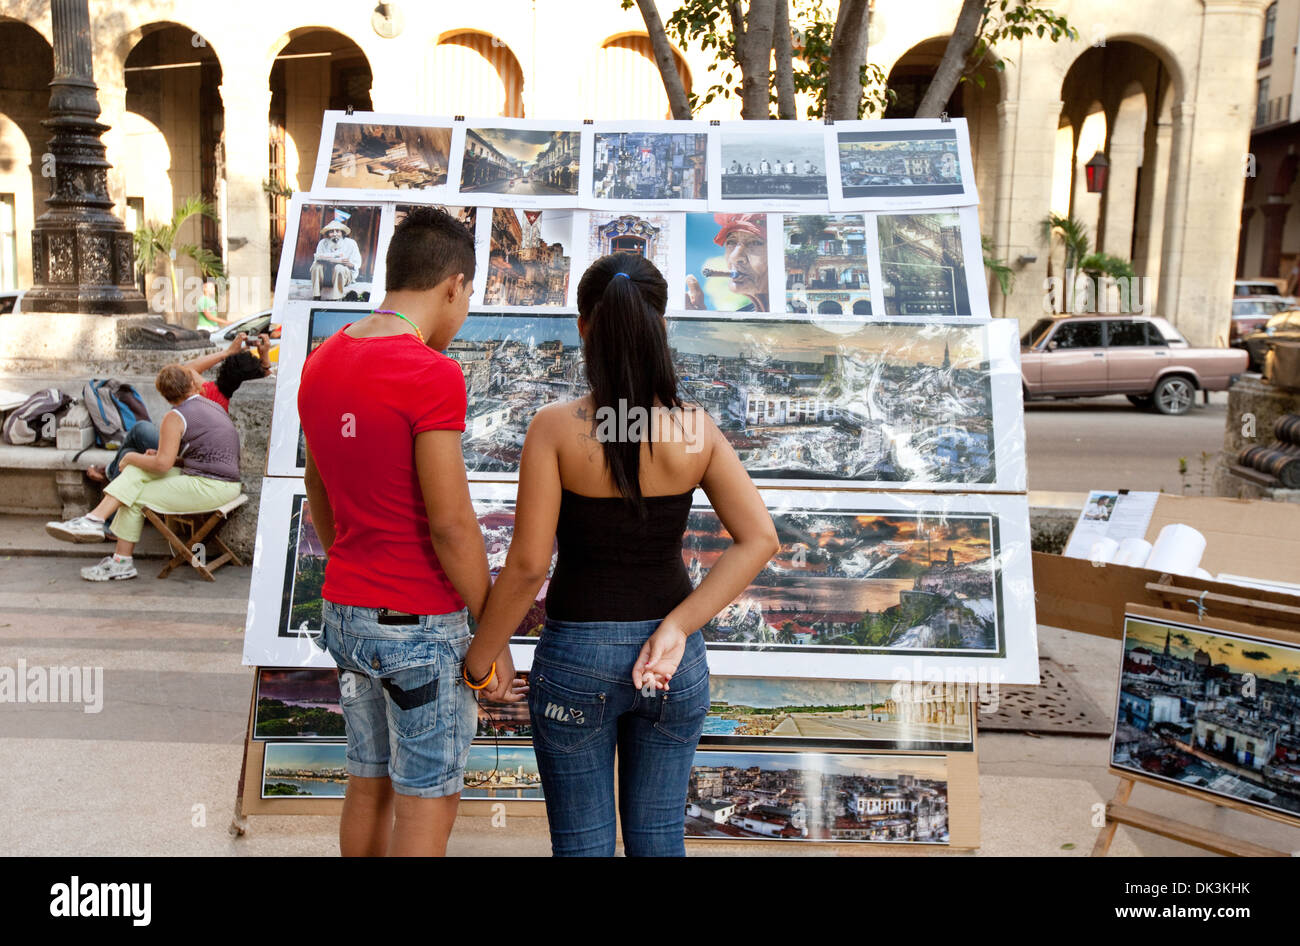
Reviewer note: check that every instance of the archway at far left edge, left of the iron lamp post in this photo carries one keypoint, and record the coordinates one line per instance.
(25, 73)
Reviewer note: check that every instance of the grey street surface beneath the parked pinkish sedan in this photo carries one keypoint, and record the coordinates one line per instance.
(1108, 444)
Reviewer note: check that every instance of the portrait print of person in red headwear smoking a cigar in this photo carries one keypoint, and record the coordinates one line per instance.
(743, 263)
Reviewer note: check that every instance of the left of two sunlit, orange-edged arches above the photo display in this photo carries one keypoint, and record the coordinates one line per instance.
(475, 75)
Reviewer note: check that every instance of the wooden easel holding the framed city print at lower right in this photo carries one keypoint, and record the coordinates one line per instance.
(1189, 604)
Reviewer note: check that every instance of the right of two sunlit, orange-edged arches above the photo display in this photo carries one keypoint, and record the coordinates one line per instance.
(623, 81)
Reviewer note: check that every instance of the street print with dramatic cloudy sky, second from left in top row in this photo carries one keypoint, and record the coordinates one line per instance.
(521, 160)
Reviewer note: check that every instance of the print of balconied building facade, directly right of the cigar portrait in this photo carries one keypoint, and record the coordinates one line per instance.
(827, 264)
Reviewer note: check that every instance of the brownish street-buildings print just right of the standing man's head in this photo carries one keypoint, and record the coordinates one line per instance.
(530, 258)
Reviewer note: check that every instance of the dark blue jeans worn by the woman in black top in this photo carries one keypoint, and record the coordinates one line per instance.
(584, 708)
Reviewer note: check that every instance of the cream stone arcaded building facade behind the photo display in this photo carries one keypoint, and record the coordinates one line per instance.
(226, 102)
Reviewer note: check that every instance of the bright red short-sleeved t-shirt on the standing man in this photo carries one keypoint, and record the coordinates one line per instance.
(362, 402)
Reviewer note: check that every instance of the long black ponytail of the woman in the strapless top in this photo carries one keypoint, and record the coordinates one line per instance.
(622, 298)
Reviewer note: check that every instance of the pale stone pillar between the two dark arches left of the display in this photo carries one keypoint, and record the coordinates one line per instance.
(246, 98)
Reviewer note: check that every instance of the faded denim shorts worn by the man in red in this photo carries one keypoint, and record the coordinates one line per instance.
(408, 711)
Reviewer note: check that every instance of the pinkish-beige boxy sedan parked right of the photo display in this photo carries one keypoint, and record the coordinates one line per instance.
(1141, 357)
